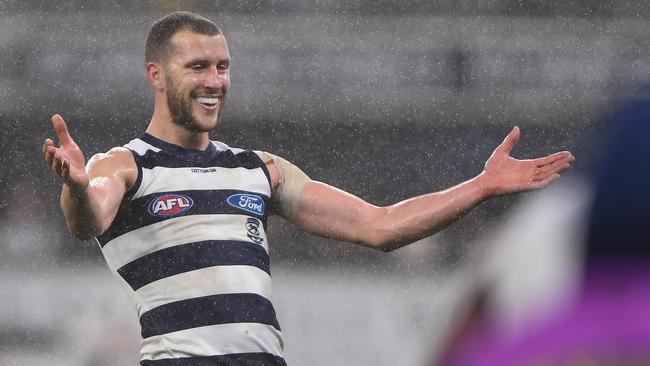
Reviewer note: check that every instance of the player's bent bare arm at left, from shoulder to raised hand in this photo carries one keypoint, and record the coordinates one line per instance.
(91, 194)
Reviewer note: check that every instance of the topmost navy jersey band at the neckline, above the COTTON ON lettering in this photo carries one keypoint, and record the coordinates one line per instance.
(222, 159)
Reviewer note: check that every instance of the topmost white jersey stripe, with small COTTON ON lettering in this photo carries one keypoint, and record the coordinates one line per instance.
(163, 179)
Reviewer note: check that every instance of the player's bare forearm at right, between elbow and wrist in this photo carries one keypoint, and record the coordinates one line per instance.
(416, 218)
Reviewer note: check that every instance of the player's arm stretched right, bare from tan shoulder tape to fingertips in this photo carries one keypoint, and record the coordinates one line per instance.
(327, 211)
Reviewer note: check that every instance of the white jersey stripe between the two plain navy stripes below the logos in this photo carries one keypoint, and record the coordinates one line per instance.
(204, 282)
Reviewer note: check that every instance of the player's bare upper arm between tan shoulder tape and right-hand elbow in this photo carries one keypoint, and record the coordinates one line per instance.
(329, 212)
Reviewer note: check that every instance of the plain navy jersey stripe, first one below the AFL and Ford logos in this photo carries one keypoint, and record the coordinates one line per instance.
(188, 257)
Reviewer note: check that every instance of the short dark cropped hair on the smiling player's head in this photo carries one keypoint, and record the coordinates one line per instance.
(157, 47)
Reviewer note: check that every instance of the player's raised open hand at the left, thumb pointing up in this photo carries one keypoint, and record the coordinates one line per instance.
(66, 161)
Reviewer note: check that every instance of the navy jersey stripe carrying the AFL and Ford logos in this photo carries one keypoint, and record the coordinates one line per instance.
(135, 214)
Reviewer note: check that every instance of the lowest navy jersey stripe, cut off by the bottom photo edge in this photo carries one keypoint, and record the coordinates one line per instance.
(234, 359)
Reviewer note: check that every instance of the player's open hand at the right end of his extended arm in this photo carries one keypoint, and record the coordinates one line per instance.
(506, 174)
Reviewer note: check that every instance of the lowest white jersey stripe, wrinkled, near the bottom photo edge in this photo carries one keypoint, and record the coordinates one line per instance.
(214, 340)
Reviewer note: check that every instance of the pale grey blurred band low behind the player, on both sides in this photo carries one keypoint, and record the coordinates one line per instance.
(351, 317)
